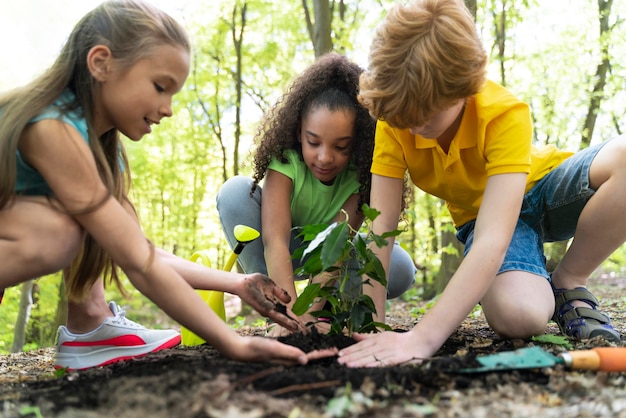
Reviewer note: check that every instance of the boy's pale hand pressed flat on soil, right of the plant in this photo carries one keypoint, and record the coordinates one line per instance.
(380, 350)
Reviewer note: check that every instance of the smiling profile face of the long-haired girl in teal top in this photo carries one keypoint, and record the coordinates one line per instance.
(133, 99)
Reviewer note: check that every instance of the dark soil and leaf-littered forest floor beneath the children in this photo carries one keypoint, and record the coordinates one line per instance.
(199, 382)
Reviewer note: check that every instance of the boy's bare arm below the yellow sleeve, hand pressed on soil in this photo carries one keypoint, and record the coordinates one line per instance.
(495, 224)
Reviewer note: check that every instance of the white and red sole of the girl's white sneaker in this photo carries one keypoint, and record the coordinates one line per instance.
(107, 356)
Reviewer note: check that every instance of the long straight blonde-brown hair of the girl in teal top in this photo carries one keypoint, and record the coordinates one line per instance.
(132, 29)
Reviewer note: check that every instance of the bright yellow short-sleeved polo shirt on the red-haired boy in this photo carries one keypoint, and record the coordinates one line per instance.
(494, 137)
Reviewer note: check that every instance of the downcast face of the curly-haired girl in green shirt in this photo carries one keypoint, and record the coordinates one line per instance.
(326, 138)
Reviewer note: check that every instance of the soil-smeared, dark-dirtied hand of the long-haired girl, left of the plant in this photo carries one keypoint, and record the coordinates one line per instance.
(266, 297)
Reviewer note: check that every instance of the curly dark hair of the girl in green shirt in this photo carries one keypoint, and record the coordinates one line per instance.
(332, 82)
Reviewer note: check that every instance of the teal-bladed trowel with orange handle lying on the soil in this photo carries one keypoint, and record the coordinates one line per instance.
(607, 359)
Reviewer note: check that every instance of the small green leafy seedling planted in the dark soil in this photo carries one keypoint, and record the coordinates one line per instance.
(343, 257)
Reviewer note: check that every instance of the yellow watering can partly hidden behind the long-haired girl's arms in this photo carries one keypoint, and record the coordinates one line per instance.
(215, 299)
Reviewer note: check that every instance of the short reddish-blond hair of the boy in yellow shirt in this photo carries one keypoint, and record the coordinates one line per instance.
(424, 56)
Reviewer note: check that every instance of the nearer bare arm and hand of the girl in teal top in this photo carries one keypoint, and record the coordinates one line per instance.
(58, 152)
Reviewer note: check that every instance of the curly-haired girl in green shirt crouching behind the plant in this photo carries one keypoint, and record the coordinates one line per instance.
(314, 154)
